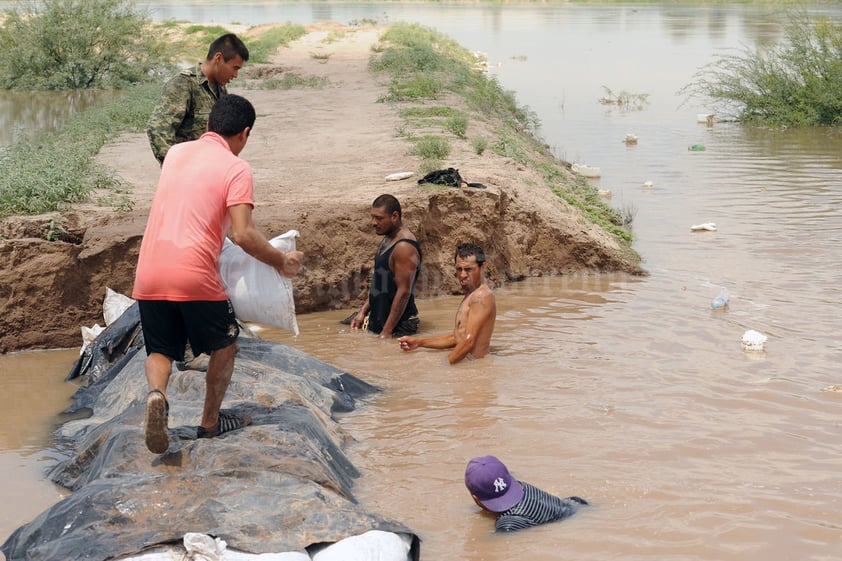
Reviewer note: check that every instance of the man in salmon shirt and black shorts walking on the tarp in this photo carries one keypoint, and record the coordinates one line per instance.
(204, 191)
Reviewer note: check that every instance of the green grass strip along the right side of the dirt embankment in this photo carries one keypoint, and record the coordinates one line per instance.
(424, 66)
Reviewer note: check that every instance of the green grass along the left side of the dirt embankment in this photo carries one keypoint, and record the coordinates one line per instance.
(56, 170)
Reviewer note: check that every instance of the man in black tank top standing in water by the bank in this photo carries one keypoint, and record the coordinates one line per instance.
(390, 310)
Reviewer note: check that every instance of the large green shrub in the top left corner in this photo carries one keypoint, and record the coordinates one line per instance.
(72, 44)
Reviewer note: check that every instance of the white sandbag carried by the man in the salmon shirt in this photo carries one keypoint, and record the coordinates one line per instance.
(258, 292)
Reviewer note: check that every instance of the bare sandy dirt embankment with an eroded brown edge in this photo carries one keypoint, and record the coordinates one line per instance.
(319, 158)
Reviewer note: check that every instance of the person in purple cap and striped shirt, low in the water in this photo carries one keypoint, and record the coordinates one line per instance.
(517, 503)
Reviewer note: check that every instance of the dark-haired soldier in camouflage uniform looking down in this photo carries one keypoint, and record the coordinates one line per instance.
(182, 111)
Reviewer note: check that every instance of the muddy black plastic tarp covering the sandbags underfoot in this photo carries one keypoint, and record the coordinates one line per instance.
(281, 484)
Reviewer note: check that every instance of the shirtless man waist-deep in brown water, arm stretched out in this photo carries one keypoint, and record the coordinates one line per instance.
(475, 316)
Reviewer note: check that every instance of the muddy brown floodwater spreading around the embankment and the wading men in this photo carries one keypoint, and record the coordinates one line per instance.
(630, 392)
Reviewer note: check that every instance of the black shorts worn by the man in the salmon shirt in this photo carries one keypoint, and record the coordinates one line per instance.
(167, 326)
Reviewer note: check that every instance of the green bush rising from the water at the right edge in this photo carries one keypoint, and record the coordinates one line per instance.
(796, 83)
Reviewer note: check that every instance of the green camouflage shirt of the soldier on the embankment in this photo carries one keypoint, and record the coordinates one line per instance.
(182, 112)
